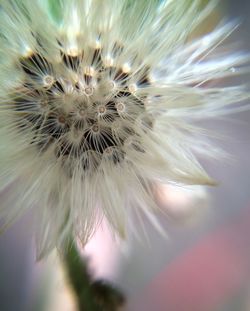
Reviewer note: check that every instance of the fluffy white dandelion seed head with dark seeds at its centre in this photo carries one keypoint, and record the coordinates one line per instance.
(98, 103)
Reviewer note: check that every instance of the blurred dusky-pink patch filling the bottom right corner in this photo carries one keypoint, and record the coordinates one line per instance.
(206, 276)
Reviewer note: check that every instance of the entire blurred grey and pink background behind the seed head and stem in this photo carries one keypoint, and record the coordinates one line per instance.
(203, 265)
